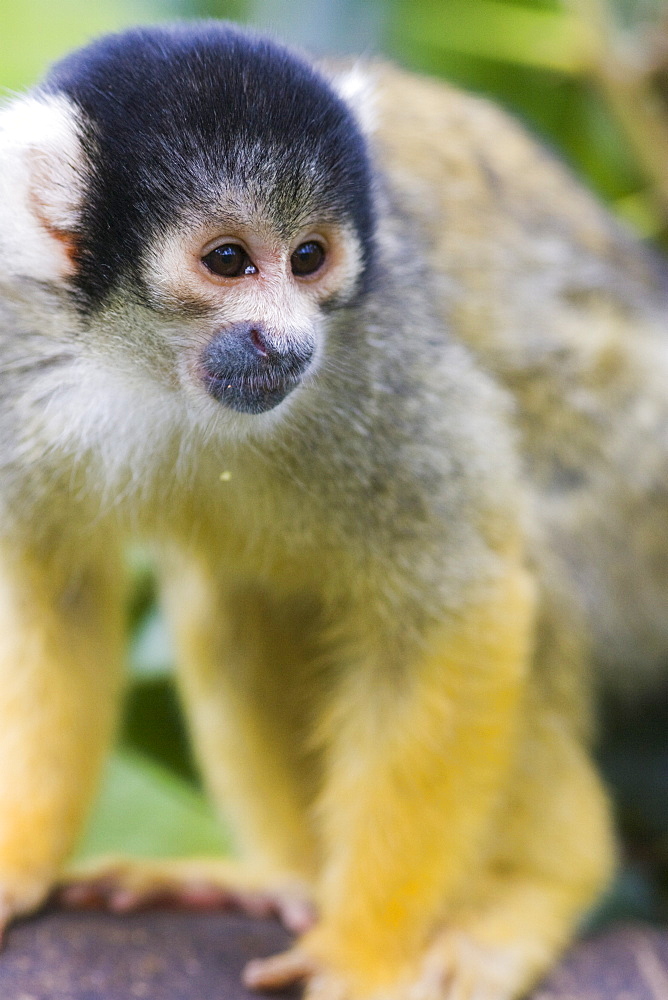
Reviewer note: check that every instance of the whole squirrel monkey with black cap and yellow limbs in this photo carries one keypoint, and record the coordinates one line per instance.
(385, 392)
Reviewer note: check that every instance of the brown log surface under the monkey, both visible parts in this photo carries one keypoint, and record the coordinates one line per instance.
(176, 955)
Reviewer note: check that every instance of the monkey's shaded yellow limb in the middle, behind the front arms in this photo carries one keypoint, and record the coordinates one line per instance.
(243, 669)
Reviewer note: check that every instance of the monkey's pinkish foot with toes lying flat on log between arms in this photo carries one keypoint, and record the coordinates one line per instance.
(122, 885)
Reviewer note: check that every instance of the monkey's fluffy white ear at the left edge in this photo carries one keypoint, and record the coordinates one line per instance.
(41, 186)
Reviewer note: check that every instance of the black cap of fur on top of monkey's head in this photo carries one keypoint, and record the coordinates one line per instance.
(175, 116)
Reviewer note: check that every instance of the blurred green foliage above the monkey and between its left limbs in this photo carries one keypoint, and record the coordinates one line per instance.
(526, 53)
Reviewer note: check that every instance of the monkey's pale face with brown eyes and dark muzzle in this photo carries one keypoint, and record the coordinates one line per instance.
(261, 301)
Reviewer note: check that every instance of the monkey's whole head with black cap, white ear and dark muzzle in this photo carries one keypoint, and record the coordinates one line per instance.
(203, 199)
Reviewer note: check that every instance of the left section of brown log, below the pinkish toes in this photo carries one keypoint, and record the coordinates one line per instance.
(157, 955)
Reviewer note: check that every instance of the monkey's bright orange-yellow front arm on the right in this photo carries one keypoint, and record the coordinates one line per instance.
(416, 767)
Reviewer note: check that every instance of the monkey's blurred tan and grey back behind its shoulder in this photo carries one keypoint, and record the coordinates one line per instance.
(568, 312)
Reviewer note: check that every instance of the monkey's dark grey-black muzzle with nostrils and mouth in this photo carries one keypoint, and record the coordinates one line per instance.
(250, 370)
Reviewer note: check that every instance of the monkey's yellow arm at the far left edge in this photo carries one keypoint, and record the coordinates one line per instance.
(61, 632)
